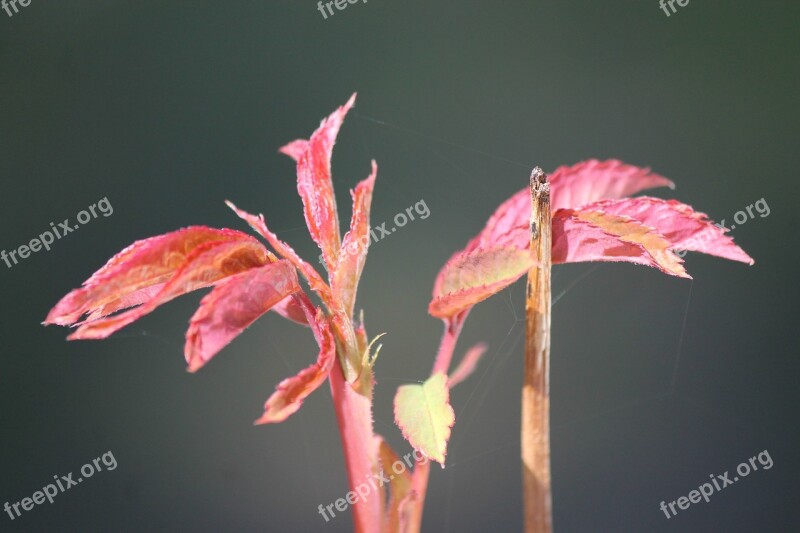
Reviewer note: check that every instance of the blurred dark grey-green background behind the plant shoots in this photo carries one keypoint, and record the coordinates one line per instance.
(169, 108)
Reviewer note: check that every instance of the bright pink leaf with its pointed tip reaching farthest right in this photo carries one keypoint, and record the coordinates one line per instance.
(683, 227)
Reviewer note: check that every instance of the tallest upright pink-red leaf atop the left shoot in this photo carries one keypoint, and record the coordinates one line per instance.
(315, 186)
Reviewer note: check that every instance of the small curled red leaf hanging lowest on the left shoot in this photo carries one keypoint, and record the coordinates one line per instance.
(290, 393)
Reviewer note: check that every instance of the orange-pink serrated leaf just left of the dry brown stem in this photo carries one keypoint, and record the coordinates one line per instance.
(471, 277)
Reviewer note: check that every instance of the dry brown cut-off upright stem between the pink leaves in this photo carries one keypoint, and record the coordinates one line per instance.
(535, 434)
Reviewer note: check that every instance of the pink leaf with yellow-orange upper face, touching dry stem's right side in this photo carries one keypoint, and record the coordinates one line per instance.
(585, 235)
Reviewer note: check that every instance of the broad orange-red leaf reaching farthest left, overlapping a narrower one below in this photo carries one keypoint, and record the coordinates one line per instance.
(138, 273)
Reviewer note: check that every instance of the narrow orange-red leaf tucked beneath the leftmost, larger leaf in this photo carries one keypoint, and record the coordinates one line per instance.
(204, 266)
